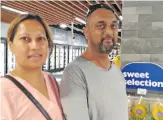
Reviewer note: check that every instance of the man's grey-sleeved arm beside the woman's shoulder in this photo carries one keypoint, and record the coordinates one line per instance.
(73, 93)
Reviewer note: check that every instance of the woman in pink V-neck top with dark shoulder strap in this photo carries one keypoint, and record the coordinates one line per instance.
(30, 41)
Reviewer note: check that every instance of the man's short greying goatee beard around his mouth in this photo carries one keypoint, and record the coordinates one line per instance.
(106, 49)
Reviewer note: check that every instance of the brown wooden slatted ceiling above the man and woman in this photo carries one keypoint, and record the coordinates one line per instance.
(55, 11)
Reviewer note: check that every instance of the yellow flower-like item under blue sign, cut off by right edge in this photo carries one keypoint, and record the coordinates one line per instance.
(157, 111)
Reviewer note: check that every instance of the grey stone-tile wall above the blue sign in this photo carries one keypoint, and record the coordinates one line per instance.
(142, 33)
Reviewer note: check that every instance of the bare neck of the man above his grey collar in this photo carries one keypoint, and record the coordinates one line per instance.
(99, 59)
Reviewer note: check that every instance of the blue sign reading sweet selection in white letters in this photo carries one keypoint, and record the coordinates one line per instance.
(143, 75)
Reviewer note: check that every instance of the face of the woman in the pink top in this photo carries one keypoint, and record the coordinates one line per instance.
(30, 44)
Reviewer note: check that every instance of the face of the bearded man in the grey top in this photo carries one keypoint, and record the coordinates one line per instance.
(102, 30)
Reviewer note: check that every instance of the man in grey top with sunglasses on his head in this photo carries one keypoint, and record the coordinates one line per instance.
(92, 88)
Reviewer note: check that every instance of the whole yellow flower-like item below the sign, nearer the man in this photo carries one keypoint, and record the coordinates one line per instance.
(139, 110)
